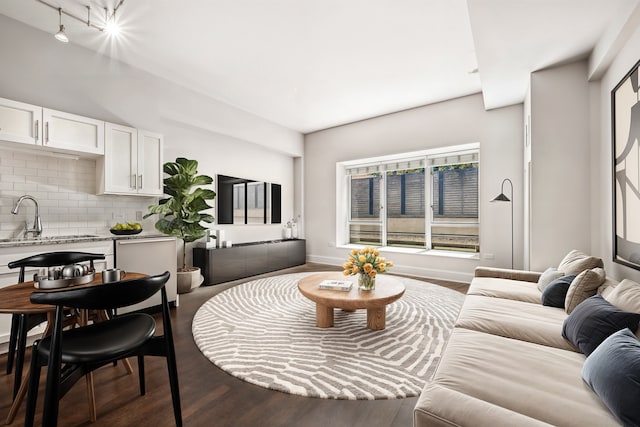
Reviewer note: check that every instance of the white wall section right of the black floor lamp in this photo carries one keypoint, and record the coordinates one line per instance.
(560, 211)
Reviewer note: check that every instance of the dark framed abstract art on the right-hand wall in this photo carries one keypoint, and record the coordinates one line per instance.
(625, 126)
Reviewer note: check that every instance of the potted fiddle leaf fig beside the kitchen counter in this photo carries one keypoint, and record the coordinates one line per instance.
(183, 212)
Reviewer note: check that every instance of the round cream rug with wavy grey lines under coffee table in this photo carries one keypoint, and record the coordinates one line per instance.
(264, 332)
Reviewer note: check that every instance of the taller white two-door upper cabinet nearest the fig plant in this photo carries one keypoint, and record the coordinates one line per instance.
(132, 162)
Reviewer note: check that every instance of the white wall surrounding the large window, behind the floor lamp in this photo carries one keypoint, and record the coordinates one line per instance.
(454, 122)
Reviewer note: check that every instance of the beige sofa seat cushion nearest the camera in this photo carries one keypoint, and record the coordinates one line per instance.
(539, 382)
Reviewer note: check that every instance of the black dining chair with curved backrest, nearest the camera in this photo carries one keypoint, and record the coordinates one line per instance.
(70, 354)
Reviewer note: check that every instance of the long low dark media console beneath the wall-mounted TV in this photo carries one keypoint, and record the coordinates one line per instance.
(221, 265)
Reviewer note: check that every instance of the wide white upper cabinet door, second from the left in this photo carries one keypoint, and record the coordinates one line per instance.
(71, 132)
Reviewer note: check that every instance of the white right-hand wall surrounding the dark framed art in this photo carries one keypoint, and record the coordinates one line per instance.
(602, 146)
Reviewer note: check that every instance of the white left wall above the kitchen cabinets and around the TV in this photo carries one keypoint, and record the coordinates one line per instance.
(39, 70)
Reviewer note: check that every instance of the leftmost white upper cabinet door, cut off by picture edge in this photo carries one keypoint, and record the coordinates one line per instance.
(20, 122)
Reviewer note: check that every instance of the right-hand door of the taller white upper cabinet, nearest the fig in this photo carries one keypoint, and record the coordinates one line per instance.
(149, 163)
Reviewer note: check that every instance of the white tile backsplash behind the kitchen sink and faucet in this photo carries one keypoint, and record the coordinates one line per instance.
(66, 194)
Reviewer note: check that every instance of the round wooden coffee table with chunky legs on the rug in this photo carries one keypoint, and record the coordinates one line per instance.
(375, 302)
